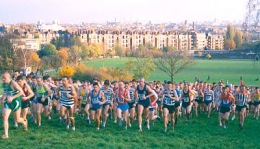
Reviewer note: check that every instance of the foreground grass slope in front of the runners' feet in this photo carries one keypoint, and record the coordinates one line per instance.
(199, 132)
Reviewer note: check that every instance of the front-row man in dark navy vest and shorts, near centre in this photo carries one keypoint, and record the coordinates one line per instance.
(144, 93)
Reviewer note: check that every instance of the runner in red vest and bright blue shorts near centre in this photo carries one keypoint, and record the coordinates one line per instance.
(123, 97)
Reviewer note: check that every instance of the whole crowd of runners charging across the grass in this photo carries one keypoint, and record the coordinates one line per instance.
(122, 102)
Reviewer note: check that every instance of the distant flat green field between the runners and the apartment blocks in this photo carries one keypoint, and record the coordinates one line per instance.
(230, 70)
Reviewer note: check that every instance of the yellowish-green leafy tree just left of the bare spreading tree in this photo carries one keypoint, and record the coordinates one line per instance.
(140, 67)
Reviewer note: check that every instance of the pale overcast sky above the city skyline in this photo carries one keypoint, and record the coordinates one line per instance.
(100, 11)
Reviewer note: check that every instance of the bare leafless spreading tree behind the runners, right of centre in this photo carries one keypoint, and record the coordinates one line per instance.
(173, 62)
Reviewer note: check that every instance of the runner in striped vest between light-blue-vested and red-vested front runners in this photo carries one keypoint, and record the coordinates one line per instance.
(108, 92)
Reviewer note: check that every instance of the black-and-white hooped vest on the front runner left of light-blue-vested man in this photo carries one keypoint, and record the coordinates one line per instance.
(64, 98)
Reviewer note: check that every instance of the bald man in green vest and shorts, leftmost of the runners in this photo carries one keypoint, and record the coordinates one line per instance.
(12, 102)
